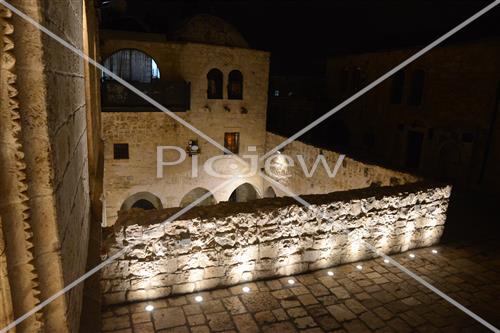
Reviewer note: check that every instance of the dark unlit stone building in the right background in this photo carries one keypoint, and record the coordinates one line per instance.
(438, 116)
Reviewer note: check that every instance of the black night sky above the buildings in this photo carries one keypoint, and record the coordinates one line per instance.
(300, 34)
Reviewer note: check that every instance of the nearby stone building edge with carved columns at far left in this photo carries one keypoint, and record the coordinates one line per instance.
(50, 165)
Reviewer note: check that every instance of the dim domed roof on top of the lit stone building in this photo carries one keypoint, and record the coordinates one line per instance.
(208, 29)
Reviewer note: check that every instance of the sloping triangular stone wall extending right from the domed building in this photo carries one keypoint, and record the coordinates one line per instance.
(351, 174)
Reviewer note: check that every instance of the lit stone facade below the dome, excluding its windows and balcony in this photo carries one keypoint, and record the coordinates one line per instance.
(143, 129)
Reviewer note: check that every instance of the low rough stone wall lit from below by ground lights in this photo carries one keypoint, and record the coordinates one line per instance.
(232, 243)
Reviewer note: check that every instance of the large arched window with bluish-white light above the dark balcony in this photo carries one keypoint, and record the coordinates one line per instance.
(132, 65)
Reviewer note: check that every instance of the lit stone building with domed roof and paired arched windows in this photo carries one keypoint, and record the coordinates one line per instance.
(204, 72)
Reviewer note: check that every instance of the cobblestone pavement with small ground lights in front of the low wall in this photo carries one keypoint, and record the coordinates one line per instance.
(378, 298)
